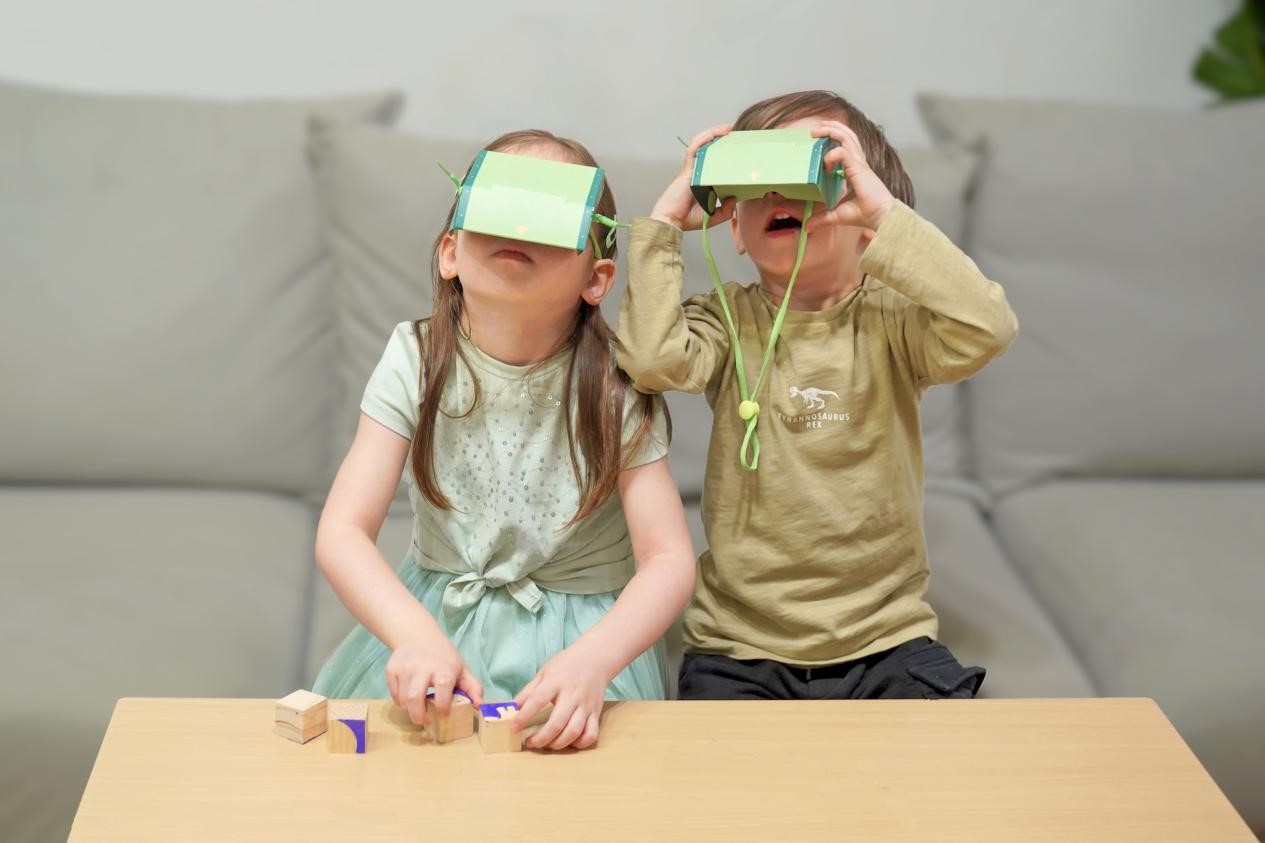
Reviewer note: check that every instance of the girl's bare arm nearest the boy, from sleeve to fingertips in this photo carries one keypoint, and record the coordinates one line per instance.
(576, 679)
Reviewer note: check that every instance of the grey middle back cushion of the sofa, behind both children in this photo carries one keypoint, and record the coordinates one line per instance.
(386, 202)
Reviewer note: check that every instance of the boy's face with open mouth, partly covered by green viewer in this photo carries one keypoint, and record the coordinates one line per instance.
(768, 231)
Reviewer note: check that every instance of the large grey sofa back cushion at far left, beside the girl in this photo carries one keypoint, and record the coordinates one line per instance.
(165, 311)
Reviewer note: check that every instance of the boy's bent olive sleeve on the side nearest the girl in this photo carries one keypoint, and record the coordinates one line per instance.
(663, 345)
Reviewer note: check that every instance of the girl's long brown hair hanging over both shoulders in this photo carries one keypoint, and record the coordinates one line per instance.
(599, 385)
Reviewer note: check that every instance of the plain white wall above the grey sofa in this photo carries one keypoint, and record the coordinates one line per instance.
(629, 75)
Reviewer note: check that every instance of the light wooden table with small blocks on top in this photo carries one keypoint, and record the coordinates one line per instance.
(953, 770)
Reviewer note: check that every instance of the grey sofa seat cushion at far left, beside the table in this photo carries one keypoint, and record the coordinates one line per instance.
(135, 593)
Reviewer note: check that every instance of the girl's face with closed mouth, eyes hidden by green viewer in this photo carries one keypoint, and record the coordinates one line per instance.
(533, 279)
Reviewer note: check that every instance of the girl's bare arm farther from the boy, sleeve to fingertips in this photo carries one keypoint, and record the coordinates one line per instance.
(349, 556)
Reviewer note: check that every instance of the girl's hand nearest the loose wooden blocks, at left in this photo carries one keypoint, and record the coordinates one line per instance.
(418, 665)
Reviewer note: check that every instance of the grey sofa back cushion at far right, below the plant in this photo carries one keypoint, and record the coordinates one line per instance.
(1128, 244)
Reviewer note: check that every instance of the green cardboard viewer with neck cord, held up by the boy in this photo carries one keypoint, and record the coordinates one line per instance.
(747, 165)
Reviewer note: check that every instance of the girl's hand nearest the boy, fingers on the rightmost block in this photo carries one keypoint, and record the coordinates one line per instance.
(576, 685)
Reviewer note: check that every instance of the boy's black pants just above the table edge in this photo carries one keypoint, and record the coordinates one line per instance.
(916, 670)
